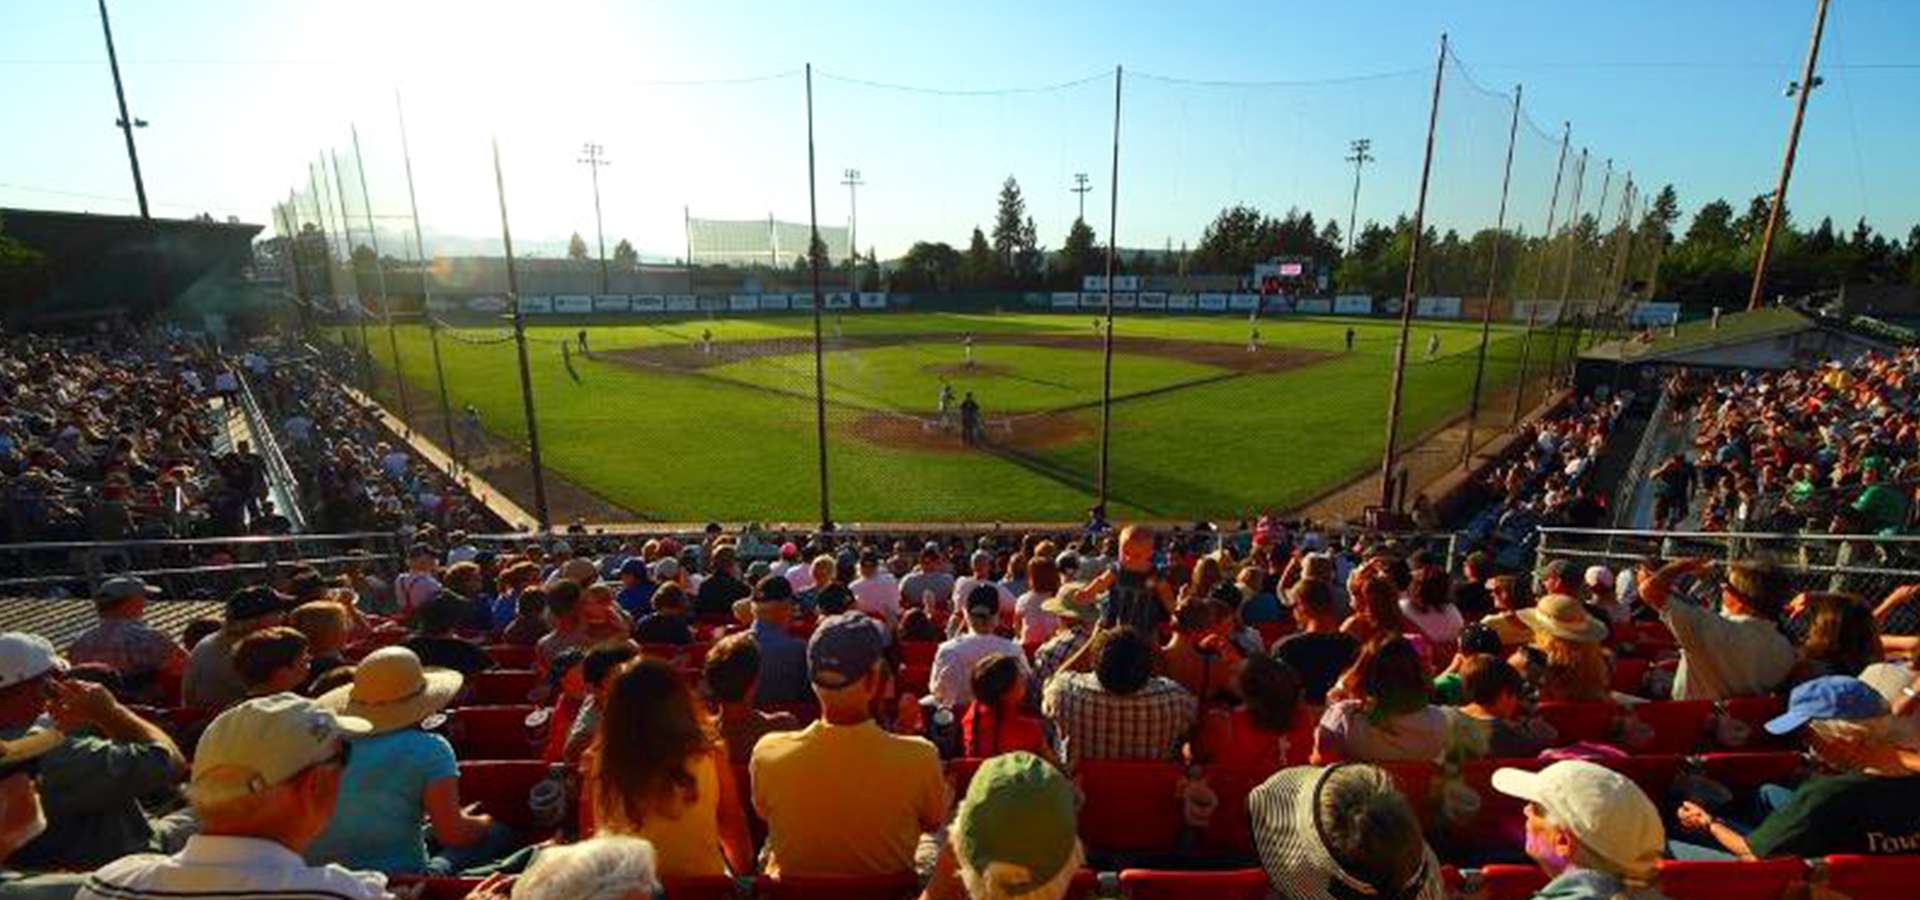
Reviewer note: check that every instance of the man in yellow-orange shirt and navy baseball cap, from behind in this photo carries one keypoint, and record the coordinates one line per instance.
(842, 797)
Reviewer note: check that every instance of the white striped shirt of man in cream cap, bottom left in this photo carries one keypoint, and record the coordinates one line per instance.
(224, 868)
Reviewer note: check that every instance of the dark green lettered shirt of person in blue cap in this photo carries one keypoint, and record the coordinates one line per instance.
(1844, 815)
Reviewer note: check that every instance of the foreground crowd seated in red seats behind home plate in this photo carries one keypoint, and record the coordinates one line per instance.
(696, 696)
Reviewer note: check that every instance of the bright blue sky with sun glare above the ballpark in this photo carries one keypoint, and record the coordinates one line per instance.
(1224, 103)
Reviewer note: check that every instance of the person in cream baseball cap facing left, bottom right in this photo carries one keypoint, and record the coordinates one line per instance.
(1591, 830)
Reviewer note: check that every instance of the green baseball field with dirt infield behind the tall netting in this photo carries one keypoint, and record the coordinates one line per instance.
(713, 419)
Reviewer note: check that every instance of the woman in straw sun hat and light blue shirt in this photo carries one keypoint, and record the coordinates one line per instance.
(400, 776)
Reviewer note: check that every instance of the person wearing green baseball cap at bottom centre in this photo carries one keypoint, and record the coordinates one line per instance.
(1013, 836)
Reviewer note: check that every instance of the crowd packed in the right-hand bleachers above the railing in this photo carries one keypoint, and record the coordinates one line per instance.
(1831, 448)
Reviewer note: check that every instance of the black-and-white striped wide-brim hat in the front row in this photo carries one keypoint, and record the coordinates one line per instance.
(1284, 813)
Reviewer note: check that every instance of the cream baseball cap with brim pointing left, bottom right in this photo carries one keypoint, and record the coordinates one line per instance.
(1604, 811)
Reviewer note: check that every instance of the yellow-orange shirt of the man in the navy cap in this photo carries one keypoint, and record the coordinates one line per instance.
(846, 799)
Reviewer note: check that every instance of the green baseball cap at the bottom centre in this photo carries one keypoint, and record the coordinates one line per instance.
(1017, 811)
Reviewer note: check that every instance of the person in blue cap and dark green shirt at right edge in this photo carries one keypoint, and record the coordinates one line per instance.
(1867, 807)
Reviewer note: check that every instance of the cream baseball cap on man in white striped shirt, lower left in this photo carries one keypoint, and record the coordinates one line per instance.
(266, 742)
